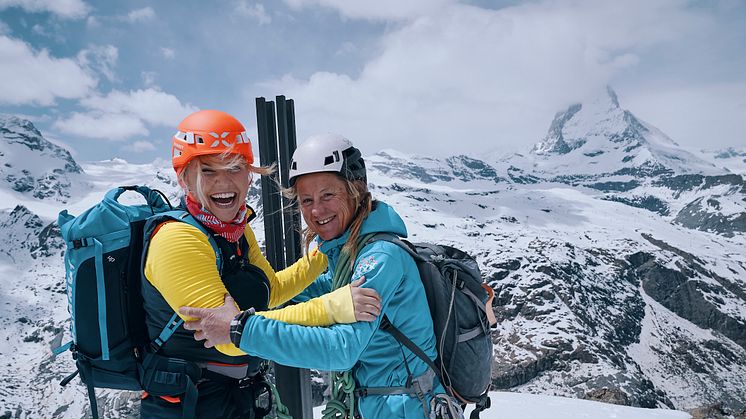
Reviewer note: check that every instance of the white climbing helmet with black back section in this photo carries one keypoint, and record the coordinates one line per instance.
(327, 153)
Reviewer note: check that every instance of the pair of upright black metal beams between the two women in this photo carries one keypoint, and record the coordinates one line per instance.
(293, 384)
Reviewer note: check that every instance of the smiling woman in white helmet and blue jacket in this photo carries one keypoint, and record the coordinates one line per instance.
(328, 179)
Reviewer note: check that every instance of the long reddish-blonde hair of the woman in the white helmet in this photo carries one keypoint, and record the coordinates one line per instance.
(357, 191)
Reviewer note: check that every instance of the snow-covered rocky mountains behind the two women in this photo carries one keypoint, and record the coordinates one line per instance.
(619, 281)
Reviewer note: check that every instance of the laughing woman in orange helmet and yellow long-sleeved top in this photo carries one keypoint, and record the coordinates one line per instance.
(212, 157)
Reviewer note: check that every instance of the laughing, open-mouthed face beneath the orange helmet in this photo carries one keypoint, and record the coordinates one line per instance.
(220, 183)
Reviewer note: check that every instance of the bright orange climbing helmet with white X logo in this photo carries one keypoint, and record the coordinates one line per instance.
(209, 132)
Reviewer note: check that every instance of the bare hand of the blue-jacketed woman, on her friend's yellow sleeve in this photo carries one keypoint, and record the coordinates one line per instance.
(213, 325)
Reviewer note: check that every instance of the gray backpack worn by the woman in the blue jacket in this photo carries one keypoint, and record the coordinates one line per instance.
(461, 307)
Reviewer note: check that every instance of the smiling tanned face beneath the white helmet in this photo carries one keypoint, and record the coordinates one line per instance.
(325, 204)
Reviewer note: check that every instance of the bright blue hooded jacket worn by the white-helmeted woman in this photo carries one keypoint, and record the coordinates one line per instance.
(377, 357)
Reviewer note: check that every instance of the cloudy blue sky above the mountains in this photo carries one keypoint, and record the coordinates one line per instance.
(432, 77)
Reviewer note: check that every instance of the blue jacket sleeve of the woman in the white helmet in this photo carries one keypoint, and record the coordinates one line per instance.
(334, 348)
